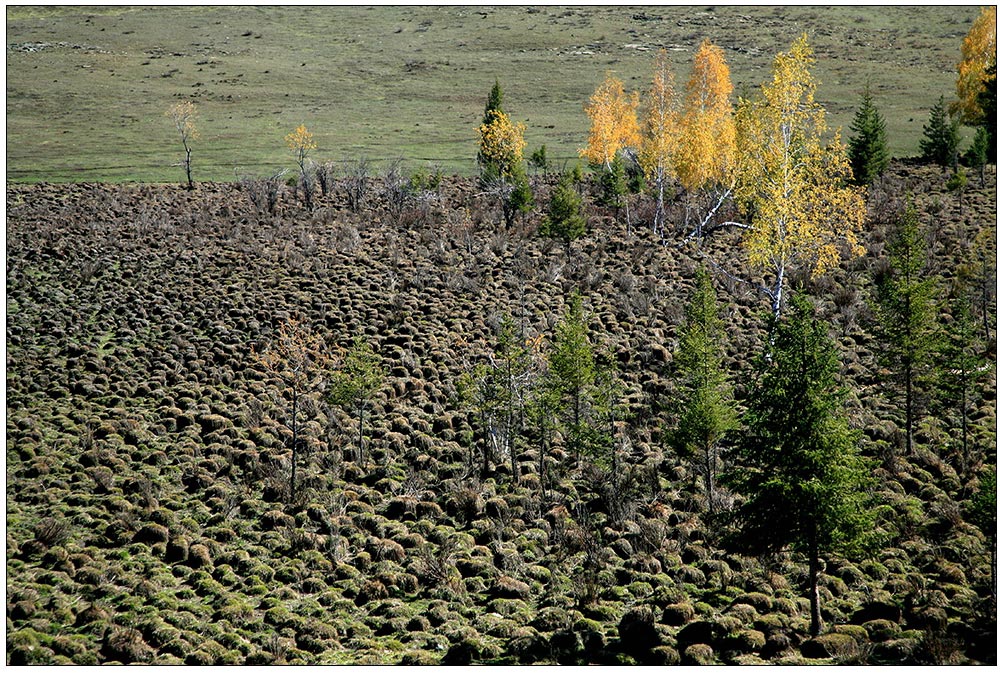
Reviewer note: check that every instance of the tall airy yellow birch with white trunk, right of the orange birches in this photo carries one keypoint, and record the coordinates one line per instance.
(803, 211)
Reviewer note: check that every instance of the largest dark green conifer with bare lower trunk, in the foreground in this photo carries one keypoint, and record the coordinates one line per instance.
(797, 463)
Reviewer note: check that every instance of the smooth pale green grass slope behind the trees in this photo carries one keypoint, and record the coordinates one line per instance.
(87, 88)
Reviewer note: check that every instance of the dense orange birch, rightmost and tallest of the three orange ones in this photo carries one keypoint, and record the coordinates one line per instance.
(706, 149)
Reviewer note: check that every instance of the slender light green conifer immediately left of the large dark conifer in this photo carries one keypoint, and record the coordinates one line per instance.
(705, 400)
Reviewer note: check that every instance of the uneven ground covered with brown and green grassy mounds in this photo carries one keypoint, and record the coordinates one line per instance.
(147, 459)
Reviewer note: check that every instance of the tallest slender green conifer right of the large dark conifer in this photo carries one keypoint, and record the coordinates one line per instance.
(906, 315)
